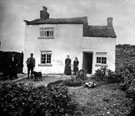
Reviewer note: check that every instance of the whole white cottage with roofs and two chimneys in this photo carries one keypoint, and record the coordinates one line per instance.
(52, 39)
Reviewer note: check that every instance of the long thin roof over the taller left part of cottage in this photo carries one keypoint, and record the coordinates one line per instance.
(79, 20)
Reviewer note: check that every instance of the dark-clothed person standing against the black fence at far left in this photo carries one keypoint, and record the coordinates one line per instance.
(13, 66)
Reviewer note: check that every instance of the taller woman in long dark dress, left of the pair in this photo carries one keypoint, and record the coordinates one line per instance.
(67, 70)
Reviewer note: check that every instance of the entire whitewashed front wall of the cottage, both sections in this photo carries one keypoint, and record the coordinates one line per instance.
(67, 40)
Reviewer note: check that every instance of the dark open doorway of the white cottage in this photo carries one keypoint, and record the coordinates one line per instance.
(87, 61)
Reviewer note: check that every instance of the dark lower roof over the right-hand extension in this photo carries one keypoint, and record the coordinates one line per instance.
(99, 31)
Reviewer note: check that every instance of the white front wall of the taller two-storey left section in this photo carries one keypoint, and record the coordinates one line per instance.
(67, 41)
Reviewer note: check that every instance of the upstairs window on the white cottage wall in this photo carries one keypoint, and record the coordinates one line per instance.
(47, 32)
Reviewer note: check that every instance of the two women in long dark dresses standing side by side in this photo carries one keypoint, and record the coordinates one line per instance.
(67, 70)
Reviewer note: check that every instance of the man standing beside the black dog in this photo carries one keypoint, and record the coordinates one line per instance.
(30, 64)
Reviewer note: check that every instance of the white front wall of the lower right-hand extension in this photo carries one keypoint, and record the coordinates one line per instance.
(100, 44)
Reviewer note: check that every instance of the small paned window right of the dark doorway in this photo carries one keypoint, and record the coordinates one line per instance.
(101, 58)
